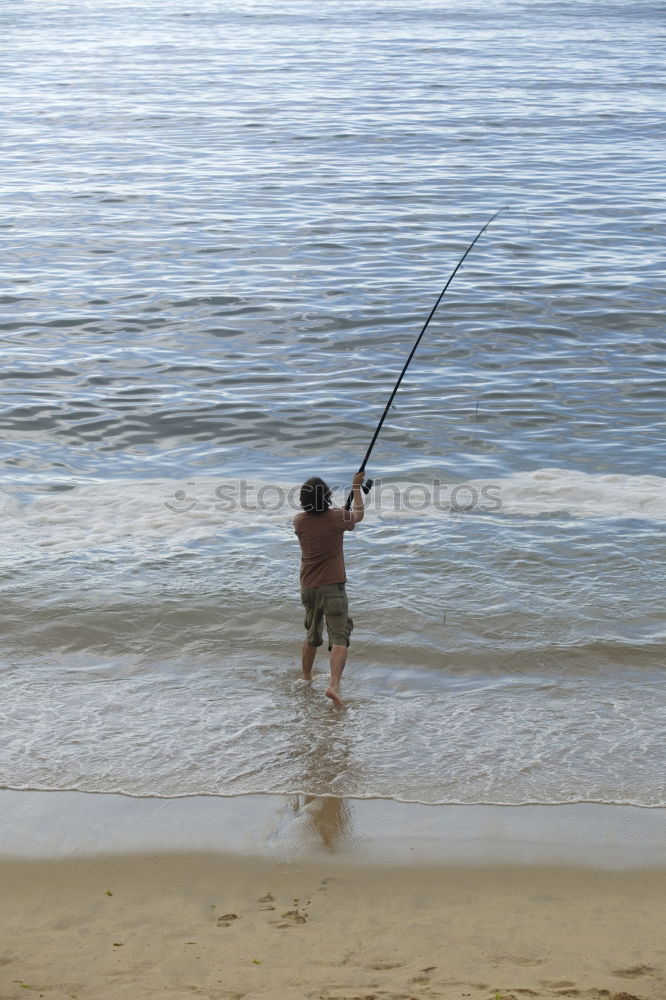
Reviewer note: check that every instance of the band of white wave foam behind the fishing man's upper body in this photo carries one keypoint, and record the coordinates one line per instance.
(141, 513)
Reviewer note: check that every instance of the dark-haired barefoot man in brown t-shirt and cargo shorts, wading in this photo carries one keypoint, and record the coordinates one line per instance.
(320, 529)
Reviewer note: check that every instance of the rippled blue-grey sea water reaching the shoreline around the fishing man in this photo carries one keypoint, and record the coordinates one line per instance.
(227, 223)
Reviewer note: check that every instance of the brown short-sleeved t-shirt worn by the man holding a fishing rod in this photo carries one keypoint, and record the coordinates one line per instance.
(321, 537)
